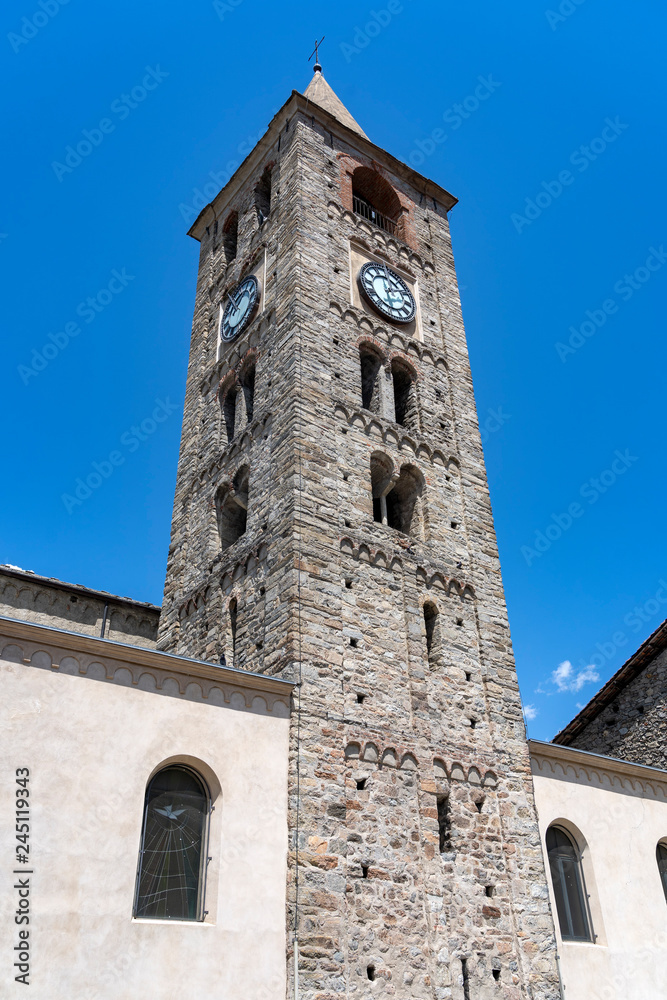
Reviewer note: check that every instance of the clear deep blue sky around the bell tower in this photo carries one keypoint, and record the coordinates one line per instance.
(559, 240)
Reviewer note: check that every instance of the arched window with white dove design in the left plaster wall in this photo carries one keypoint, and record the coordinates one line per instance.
(172, 853)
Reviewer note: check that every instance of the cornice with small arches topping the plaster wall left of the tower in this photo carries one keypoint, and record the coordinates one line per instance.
(43, 646)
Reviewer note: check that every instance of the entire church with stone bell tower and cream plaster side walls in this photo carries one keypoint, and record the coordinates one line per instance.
(306, 775)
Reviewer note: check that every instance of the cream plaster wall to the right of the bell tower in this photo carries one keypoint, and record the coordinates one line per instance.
(629, 911)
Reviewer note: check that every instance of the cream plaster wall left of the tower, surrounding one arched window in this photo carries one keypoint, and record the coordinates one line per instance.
(91, 746)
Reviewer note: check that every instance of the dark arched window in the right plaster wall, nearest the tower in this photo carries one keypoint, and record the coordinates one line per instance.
(568, 883)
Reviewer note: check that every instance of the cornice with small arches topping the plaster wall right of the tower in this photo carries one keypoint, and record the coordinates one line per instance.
(562, 762)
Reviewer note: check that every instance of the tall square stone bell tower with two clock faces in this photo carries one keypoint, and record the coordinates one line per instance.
(332, 525)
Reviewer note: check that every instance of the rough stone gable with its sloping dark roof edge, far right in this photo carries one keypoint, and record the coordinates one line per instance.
(627, 719)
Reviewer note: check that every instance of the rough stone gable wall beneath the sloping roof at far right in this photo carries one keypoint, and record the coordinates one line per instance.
(634, 726)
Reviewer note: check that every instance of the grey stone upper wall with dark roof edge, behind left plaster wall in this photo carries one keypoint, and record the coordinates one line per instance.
(45, 601)
